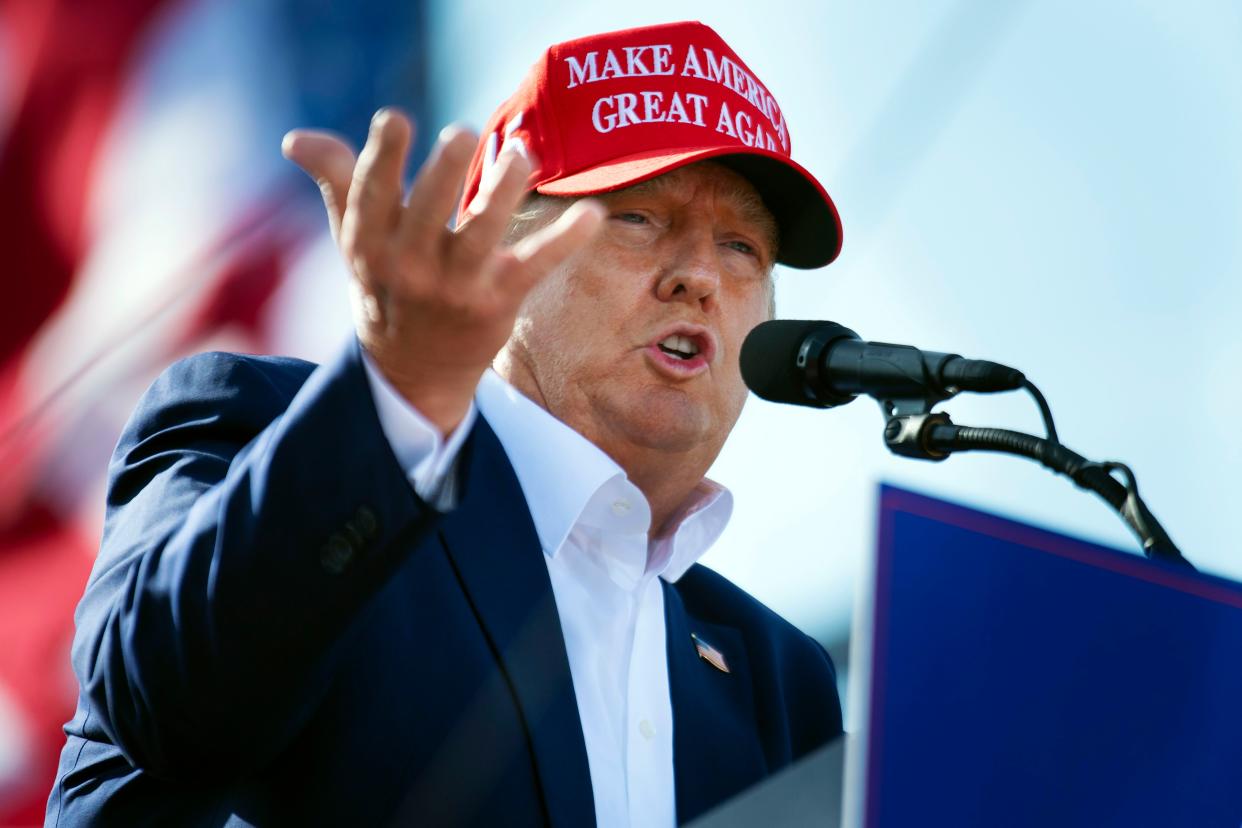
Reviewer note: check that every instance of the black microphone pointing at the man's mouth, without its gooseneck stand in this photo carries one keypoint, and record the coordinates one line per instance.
(823, 364)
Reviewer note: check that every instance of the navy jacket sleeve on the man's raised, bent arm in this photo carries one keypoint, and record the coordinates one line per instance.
(250, 518)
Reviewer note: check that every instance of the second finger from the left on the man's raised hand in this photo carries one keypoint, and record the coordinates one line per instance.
(374, 202)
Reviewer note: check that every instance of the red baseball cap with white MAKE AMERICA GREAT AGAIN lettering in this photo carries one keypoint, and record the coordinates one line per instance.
(605, 112)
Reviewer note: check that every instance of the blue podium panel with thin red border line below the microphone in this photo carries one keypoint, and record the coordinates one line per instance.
(1020, 677)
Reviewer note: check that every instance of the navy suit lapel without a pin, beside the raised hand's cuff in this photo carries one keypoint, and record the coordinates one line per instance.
(494, 546)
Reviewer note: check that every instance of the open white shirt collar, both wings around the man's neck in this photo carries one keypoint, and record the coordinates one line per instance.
(563, 476)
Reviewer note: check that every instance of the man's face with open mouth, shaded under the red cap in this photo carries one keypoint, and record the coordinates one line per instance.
(634, 342)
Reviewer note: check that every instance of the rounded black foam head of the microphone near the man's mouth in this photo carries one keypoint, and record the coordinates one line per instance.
(777, 366)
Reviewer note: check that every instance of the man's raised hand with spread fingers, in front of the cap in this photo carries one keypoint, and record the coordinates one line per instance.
(433, 306)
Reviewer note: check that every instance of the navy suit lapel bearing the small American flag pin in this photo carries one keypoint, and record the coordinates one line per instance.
(716, 748)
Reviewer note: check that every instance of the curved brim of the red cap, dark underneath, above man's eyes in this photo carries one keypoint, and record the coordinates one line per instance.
(810, 228)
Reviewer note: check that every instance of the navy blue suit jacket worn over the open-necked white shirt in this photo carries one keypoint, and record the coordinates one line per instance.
(279, 631)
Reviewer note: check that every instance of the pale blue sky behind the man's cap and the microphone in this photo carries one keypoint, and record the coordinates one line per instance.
(1051, 186)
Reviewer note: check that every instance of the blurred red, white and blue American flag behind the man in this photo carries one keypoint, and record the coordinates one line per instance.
(147, 214)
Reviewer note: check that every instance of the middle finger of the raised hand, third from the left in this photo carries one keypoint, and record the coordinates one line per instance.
(434, 196)
